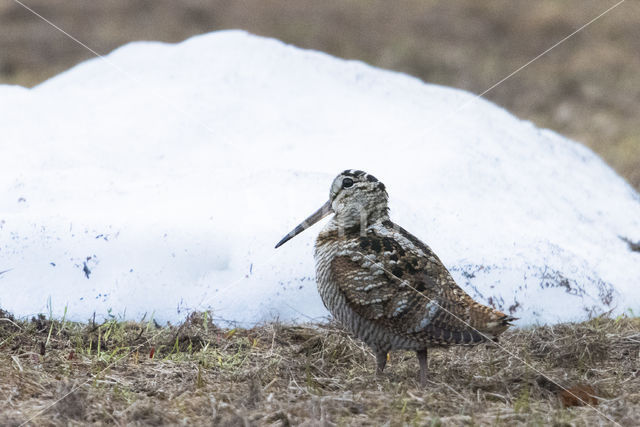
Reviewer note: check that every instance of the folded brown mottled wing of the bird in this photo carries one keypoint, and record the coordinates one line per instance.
(391, 278)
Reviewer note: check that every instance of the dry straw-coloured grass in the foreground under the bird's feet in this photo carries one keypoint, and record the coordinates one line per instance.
(289, 375)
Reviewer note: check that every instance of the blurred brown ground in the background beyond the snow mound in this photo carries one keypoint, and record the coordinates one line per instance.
(588, 88)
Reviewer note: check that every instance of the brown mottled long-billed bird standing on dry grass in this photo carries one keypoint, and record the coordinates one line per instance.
(383, 284)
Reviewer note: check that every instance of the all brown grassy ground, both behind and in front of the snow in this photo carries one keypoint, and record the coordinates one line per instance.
(588, 88)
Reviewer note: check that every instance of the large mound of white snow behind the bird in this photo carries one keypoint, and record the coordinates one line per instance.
(171, 171)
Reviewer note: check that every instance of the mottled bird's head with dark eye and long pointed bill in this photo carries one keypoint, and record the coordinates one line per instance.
(355, 197)
